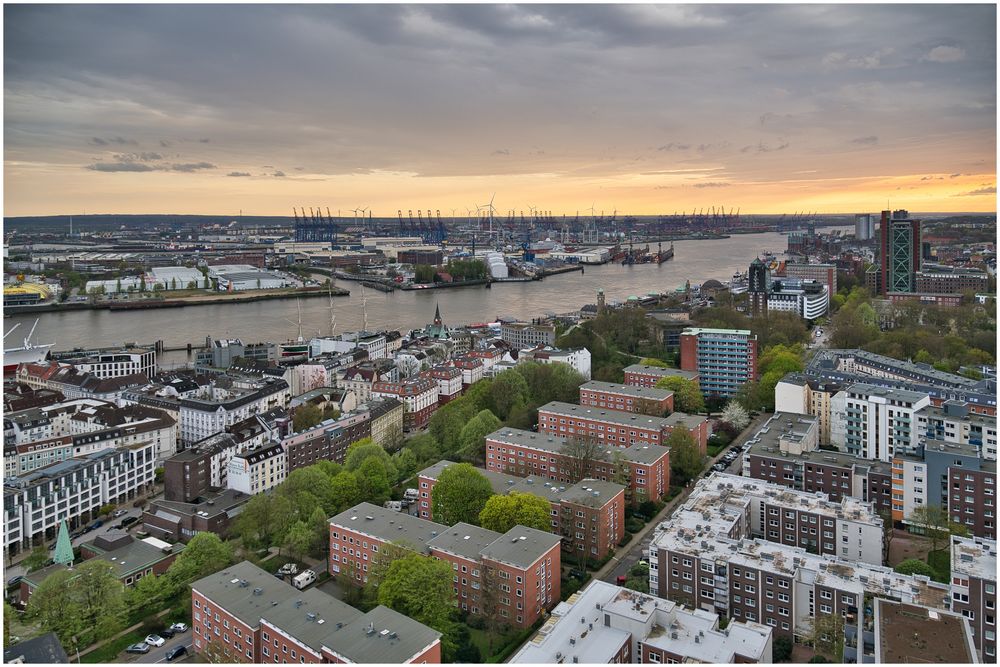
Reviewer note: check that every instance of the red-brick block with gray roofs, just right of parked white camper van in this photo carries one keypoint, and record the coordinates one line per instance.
(525, 561)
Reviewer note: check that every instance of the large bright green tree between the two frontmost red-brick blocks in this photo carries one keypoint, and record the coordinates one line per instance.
(421, 588)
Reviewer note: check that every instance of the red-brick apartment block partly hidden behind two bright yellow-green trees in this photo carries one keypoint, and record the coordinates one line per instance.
(590, 515)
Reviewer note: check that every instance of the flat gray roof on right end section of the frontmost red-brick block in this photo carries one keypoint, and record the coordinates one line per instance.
(383, 636)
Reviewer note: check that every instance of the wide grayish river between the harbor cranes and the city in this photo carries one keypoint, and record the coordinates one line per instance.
(696, 261)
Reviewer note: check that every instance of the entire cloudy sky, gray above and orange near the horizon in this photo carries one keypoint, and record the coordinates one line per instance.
(639, 108)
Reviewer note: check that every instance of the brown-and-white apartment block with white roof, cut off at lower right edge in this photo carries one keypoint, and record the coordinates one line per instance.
(974, 590)
